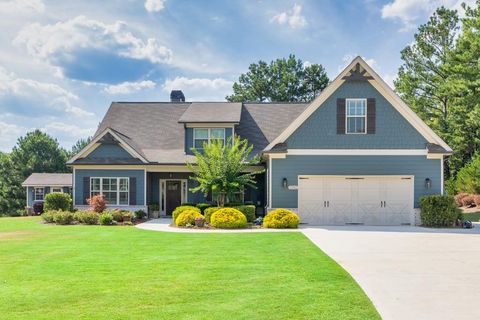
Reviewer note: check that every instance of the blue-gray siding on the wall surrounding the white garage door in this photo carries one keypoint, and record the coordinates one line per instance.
(293, 166)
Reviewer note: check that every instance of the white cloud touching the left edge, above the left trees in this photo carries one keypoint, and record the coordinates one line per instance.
(17, 94)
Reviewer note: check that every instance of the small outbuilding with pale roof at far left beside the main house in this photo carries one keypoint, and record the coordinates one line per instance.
(38, 185)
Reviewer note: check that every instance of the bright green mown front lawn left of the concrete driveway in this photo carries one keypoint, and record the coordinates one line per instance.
(95, 272)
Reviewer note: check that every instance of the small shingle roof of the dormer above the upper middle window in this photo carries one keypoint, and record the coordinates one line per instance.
(224, 112)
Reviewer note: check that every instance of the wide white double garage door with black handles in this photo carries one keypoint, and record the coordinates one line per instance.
(369, 200)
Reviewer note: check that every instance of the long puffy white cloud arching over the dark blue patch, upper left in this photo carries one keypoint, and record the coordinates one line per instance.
(62, 38)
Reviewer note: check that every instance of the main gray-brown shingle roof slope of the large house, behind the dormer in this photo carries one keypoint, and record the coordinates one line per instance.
(154, 131)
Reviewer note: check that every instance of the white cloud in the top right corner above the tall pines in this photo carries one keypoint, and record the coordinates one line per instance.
(410, 12)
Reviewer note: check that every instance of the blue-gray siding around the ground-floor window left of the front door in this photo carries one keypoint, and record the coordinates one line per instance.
(81, 173)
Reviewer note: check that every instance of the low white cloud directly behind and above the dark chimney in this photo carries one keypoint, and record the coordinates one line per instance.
(200, 88)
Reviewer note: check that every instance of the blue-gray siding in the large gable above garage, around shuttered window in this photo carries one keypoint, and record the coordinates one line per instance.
(319, 131)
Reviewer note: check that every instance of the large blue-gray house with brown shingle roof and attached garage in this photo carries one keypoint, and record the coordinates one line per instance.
(357, 154)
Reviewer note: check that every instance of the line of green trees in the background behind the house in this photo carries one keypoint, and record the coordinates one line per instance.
(439, 78)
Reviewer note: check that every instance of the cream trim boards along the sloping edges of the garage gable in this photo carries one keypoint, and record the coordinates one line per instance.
(382, 88)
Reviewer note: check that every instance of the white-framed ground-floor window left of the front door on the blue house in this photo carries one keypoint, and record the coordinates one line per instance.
(115, 190)
